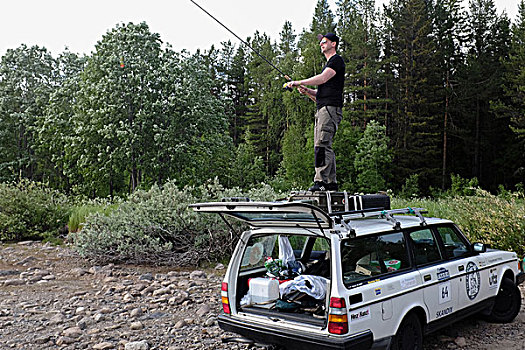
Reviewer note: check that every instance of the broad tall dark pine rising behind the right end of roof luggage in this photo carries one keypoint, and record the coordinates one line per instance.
(414, 123)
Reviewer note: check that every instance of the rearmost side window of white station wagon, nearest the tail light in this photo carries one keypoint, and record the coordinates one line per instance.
(366, 257)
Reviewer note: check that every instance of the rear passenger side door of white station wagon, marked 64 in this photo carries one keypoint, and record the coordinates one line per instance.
(440, 289)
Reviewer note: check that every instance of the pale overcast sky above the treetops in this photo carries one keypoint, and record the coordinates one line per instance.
(78, 25)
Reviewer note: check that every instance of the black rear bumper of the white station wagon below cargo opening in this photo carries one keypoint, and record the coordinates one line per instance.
(300, 341)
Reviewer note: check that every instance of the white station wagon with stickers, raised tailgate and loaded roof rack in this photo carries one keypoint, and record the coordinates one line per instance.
(307, 278)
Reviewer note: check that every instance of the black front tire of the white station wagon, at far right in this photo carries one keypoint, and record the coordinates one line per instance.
(507, 304)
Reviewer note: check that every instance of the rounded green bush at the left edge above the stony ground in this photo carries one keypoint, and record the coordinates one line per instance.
(30, 210)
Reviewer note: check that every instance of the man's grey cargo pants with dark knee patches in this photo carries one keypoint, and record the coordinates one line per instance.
(327, 120)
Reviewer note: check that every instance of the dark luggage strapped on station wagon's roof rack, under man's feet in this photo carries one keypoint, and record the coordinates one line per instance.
(341, 201)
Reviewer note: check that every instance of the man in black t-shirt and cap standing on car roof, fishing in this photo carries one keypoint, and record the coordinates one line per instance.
(329, 100)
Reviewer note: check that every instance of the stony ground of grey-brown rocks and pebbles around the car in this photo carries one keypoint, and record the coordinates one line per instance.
(52, 299)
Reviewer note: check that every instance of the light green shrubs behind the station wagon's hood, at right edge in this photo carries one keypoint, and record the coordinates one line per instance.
(483, 217)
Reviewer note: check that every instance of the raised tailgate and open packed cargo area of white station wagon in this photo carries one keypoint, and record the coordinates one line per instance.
(291, 250)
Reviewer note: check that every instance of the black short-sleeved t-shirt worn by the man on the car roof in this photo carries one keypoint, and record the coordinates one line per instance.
(331, 92)
